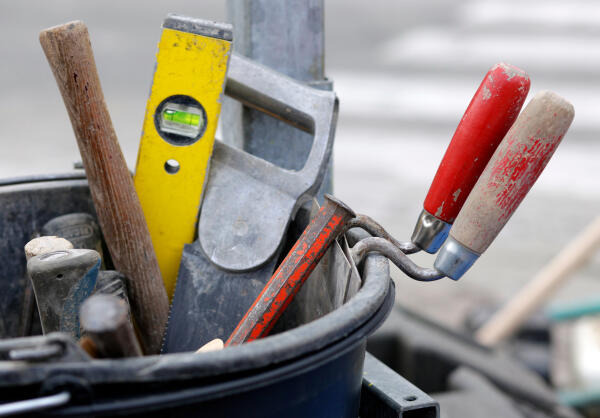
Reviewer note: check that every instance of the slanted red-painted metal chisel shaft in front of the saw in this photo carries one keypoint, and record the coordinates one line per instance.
(292, 273)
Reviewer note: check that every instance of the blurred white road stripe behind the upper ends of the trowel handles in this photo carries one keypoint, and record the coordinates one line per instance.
(442, 99)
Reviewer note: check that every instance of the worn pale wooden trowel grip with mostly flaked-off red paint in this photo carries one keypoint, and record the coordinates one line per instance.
(515, 166)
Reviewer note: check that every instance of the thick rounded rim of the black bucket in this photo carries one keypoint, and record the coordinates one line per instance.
(267, 352)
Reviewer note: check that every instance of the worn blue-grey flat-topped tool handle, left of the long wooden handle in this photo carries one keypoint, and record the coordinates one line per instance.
(62, 280)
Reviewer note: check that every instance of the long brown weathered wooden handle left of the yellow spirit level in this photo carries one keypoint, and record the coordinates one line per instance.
(69, 53)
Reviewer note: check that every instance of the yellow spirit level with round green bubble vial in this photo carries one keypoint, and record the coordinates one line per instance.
(179, 132)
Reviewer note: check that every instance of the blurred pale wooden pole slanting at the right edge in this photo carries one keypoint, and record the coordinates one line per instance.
(508, 319)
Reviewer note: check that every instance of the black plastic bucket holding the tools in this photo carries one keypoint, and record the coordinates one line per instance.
(314, 370)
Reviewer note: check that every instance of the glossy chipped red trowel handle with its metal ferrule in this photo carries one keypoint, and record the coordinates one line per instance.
(493, 109)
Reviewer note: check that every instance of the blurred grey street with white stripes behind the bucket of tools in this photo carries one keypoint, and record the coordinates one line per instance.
(405, 71)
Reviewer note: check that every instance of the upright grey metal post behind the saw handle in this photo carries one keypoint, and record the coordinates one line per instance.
(287, 36)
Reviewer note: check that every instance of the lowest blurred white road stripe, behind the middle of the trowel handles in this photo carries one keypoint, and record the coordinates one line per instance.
(412, 157)
